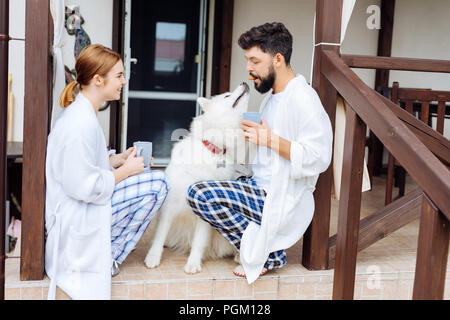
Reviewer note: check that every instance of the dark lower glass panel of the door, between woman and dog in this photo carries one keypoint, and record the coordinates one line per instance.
(159, 121)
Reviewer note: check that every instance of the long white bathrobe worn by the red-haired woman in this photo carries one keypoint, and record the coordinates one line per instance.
(78, 205)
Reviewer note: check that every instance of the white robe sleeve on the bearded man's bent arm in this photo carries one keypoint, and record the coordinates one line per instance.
(311, 151)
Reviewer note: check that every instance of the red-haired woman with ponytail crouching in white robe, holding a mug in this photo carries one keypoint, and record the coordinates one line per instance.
(98, 204)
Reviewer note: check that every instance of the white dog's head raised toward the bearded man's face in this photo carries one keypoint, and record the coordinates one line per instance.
(225, 111)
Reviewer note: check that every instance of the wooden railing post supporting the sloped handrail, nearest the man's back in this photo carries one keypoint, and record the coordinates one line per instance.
(349, 207)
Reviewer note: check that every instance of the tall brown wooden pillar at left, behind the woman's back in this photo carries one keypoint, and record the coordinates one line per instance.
(37, 102)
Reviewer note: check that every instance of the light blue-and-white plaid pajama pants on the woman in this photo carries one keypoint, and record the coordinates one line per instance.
(135, 202)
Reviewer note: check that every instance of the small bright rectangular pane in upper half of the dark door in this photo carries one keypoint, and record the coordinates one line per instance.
(170, 47)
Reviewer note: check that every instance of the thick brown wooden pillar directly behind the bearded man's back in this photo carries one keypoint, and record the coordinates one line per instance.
(328, 30)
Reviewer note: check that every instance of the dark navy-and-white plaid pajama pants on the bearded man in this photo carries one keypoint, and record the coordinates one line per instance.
(229, 206)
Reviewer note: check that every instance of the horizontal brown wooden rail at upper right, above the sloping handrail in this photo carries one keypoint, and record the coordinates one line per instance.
(391, 63)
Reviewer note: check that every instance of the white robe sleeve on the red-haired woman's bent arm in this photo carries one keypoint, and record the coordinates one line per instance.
(82, 179)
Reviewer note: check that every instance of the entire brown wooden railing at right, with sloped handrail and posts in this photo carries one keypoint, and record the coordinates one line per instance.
(424, 153)
